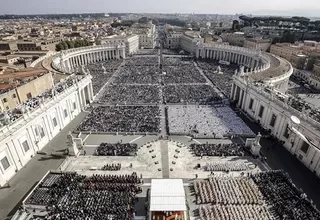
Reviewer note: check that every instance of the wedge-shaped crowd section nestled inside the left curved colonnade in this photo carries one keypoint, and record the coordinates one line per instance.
(101, 73)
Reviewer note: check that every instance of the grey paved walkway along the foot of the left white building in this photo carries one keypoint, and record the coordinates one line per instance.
(35, 169)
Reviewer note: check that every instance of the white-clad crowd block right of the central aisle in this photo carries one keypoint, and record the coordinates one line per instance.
(206, 120)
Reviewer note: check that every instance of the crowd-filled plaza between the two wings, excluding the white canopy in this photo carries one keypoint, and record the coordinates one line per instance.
(157, 116)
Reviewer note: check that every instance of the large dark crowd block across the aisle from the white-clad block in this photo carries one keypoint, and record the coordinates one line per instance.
(112, 119)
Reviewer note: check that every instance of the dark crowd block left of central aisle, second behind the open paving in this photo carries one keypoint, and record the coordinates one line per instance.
(131, 94)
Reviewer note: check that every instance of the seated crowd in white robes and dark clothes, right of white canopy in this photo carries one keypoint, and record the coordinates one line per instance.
(264, 195)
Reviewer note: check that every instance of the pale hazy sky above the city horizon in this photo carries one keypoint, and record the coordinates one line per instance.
(288, 7)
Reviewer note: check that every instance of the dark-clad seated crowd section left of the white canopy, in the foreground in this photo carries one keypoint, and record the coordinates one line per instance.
(74, 196)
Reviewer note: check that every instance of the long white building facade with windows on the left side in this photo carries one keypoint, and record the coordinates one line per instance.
(23, 138)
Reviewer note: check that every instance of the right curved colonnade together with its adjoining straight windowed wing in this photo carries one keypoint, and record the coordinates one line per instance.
(259, 90)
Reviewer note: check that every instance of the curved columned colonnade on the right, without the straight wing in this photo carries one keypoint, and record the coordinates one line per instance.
(258, 66)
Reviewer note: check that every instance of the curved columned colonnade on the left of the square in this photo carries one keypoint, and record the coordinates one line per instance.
(67, 61)
